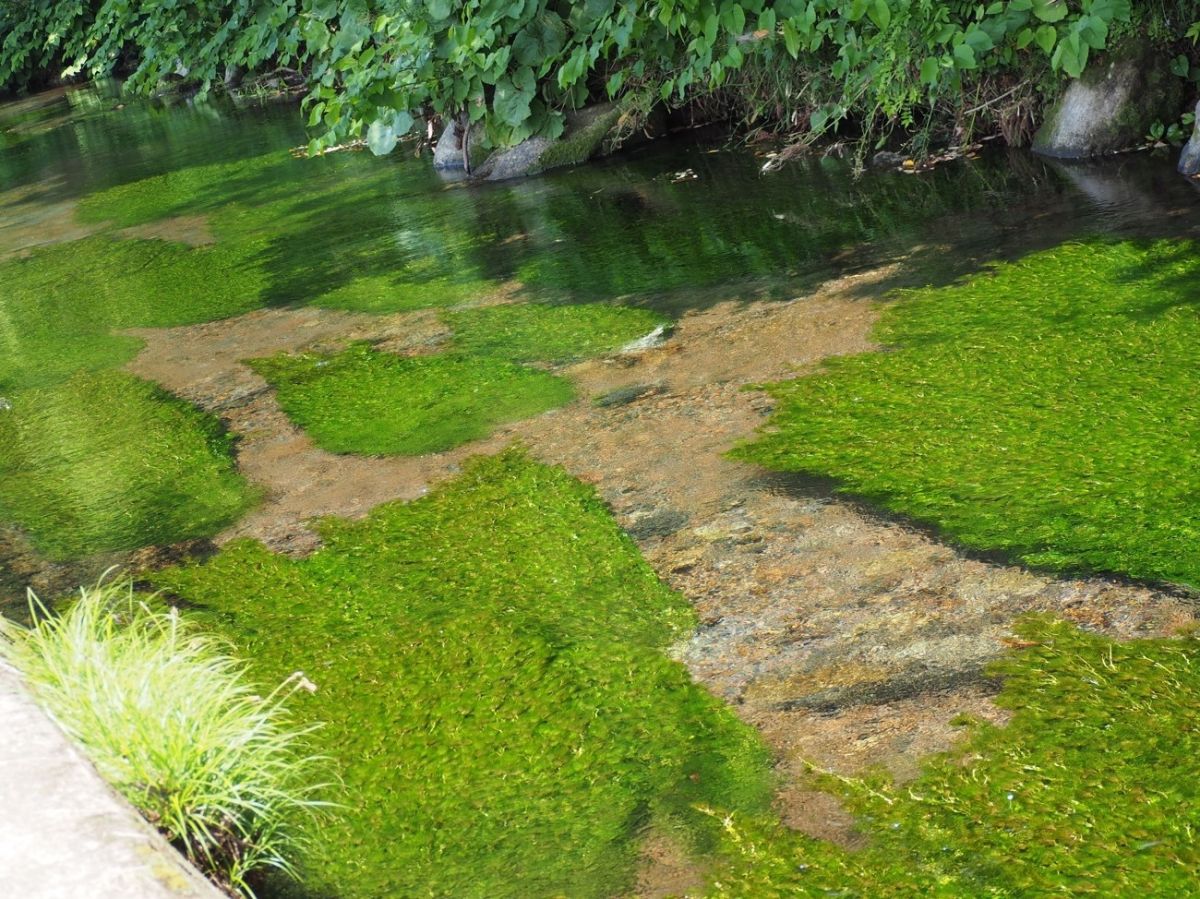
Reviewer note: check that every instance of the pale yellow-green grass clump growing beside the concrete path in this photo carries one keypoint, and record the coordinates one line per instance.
(175, 724)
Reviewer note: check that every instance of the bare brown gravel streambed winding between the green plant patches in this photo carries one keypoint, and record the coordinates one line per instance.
(850, 640)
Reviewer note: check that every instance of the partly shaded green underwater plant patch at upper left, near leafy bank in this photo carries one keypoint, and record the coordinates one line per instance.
(344, 232)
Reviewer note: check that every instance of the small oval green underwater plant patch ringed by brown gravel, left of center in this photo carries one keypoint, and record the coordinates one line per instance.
(380, 404)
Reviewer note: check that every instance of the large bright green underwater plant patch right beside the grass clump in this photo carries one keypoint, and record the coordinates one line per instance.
(491, 674)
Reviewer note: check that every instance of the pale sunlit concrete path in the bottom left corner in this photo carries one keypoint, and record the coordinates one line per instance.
(64, 834)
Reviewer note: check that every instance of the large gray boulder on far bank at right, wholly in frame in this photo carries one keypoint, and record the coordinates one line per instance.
(1113, 106)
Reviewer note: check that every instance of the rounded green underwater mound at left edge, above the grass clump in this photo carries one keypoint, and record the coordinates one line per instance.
(105, 462)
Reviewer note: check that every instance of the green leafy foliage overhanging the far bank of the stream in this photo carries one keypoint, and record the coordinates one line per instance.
(376, 67)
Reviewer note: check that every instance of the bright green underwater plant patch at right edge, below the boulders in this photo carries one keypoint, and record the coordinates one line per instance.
(1047, 410)
